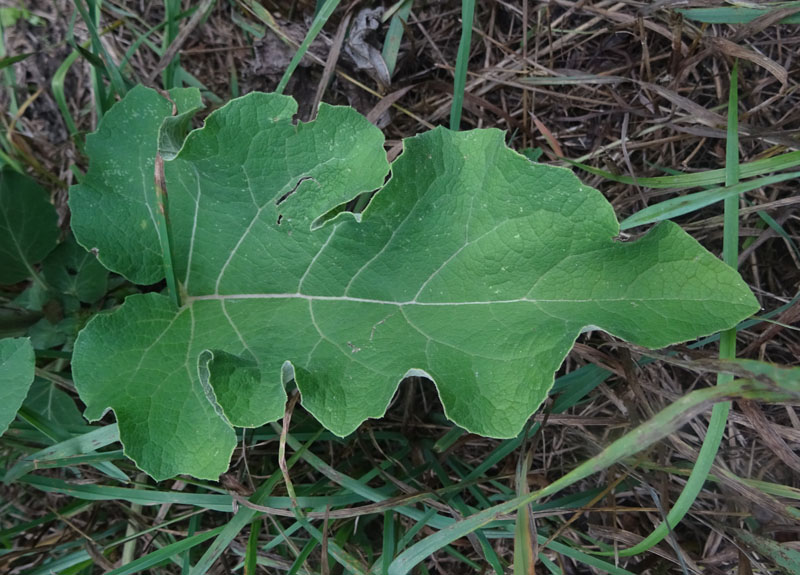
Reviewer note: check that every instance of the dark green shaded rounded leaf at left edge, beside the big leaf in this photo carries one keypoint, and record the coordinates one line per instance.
(28, 226)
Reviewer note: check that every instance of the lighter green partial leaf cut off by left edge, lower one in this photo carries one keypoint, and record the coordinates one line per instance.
(17, 363)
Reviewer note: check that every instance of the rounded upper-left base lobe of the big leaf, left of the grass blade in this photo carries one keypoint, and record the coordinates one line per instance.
(115, 209)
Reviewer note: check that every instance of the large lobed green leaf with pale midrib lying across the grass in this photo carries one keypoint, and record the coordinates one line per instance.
(472, 266)
